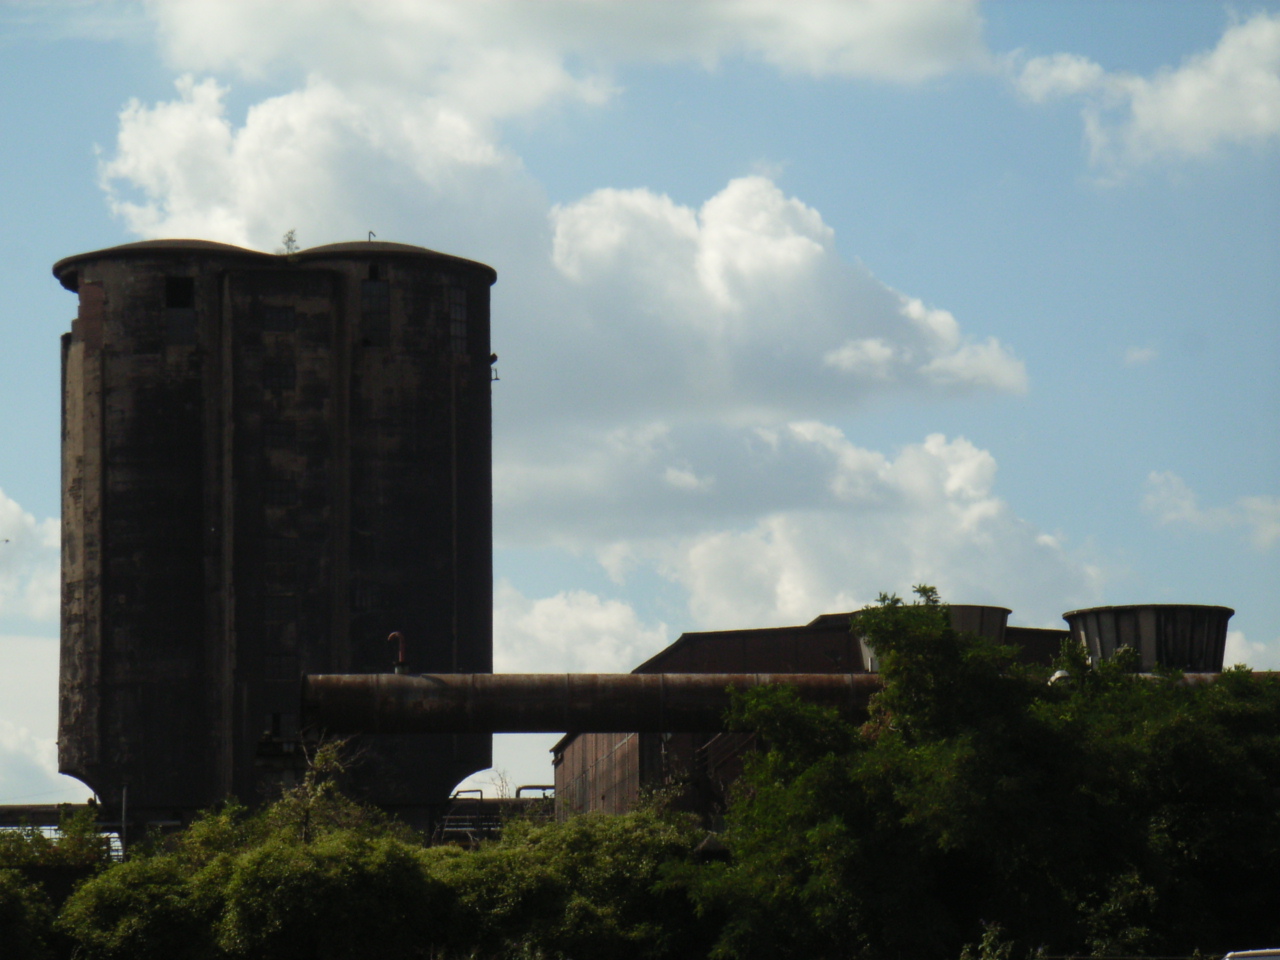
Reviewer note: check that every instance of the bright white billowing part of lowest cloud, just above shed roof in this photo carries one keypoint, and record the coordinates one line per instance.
(926, 515)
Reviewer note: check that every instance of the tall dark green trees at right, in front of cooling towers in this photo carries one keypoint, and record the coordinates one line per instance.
(1105, 813)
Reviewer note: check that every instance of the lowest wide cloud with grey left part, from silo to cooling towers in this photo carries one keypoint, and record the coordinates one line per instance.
(803, 522)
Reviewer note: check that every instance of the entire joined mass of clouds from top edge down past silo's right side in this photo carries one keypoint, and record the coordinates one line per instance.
(674, 374)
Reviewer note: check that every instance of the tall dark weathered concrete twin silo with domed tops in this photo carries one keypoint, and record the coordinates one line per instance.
(269, 464)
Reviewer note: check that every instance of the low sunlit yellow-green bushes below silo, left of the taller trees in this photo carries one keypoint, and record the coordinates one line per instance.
(319, 876)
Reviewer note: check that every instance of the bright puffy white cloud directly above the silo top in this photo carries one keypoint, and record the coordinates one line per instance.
(182, 170)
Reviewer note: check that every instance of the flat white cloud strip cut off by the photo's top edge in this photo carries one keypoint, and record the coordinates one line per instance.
(508, 56)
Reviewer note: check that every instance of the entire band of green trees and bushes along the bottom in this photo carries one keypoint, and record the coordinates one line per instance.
(980, 812)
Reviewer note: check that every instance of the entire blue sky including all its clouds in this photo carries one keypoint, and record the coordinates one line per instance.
(798, 303)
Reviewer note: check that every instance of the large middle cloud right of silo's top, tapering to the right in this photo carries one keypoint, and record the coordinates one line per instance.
(746, 301)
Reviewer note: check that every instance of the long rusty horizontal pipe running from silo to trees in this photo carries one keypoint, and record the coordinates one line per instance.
(552, 703)
